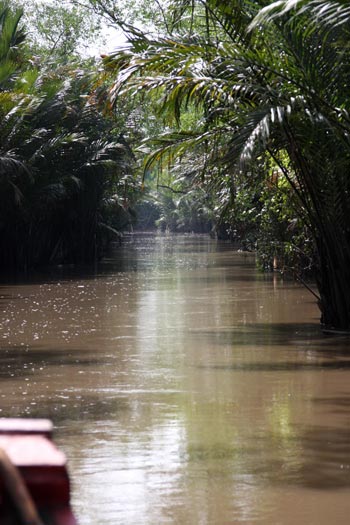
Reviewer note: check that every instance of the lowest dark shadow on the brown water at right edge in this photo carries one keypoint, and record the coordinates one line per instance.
(315, 457)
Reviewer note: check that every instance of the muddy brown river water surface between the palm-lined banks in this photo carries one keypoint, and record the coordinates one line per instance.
(185, 387)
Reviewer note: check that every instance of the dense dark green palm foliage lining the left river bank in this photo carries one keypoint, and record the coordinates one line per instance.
(65, 170)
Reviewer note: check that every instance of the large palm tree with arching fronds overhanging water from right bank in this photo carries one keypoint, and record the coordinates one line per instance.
(265, 80)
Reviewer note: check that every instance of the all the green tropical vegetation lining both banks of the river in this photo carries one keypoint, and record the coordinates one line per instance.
(240, 111)
